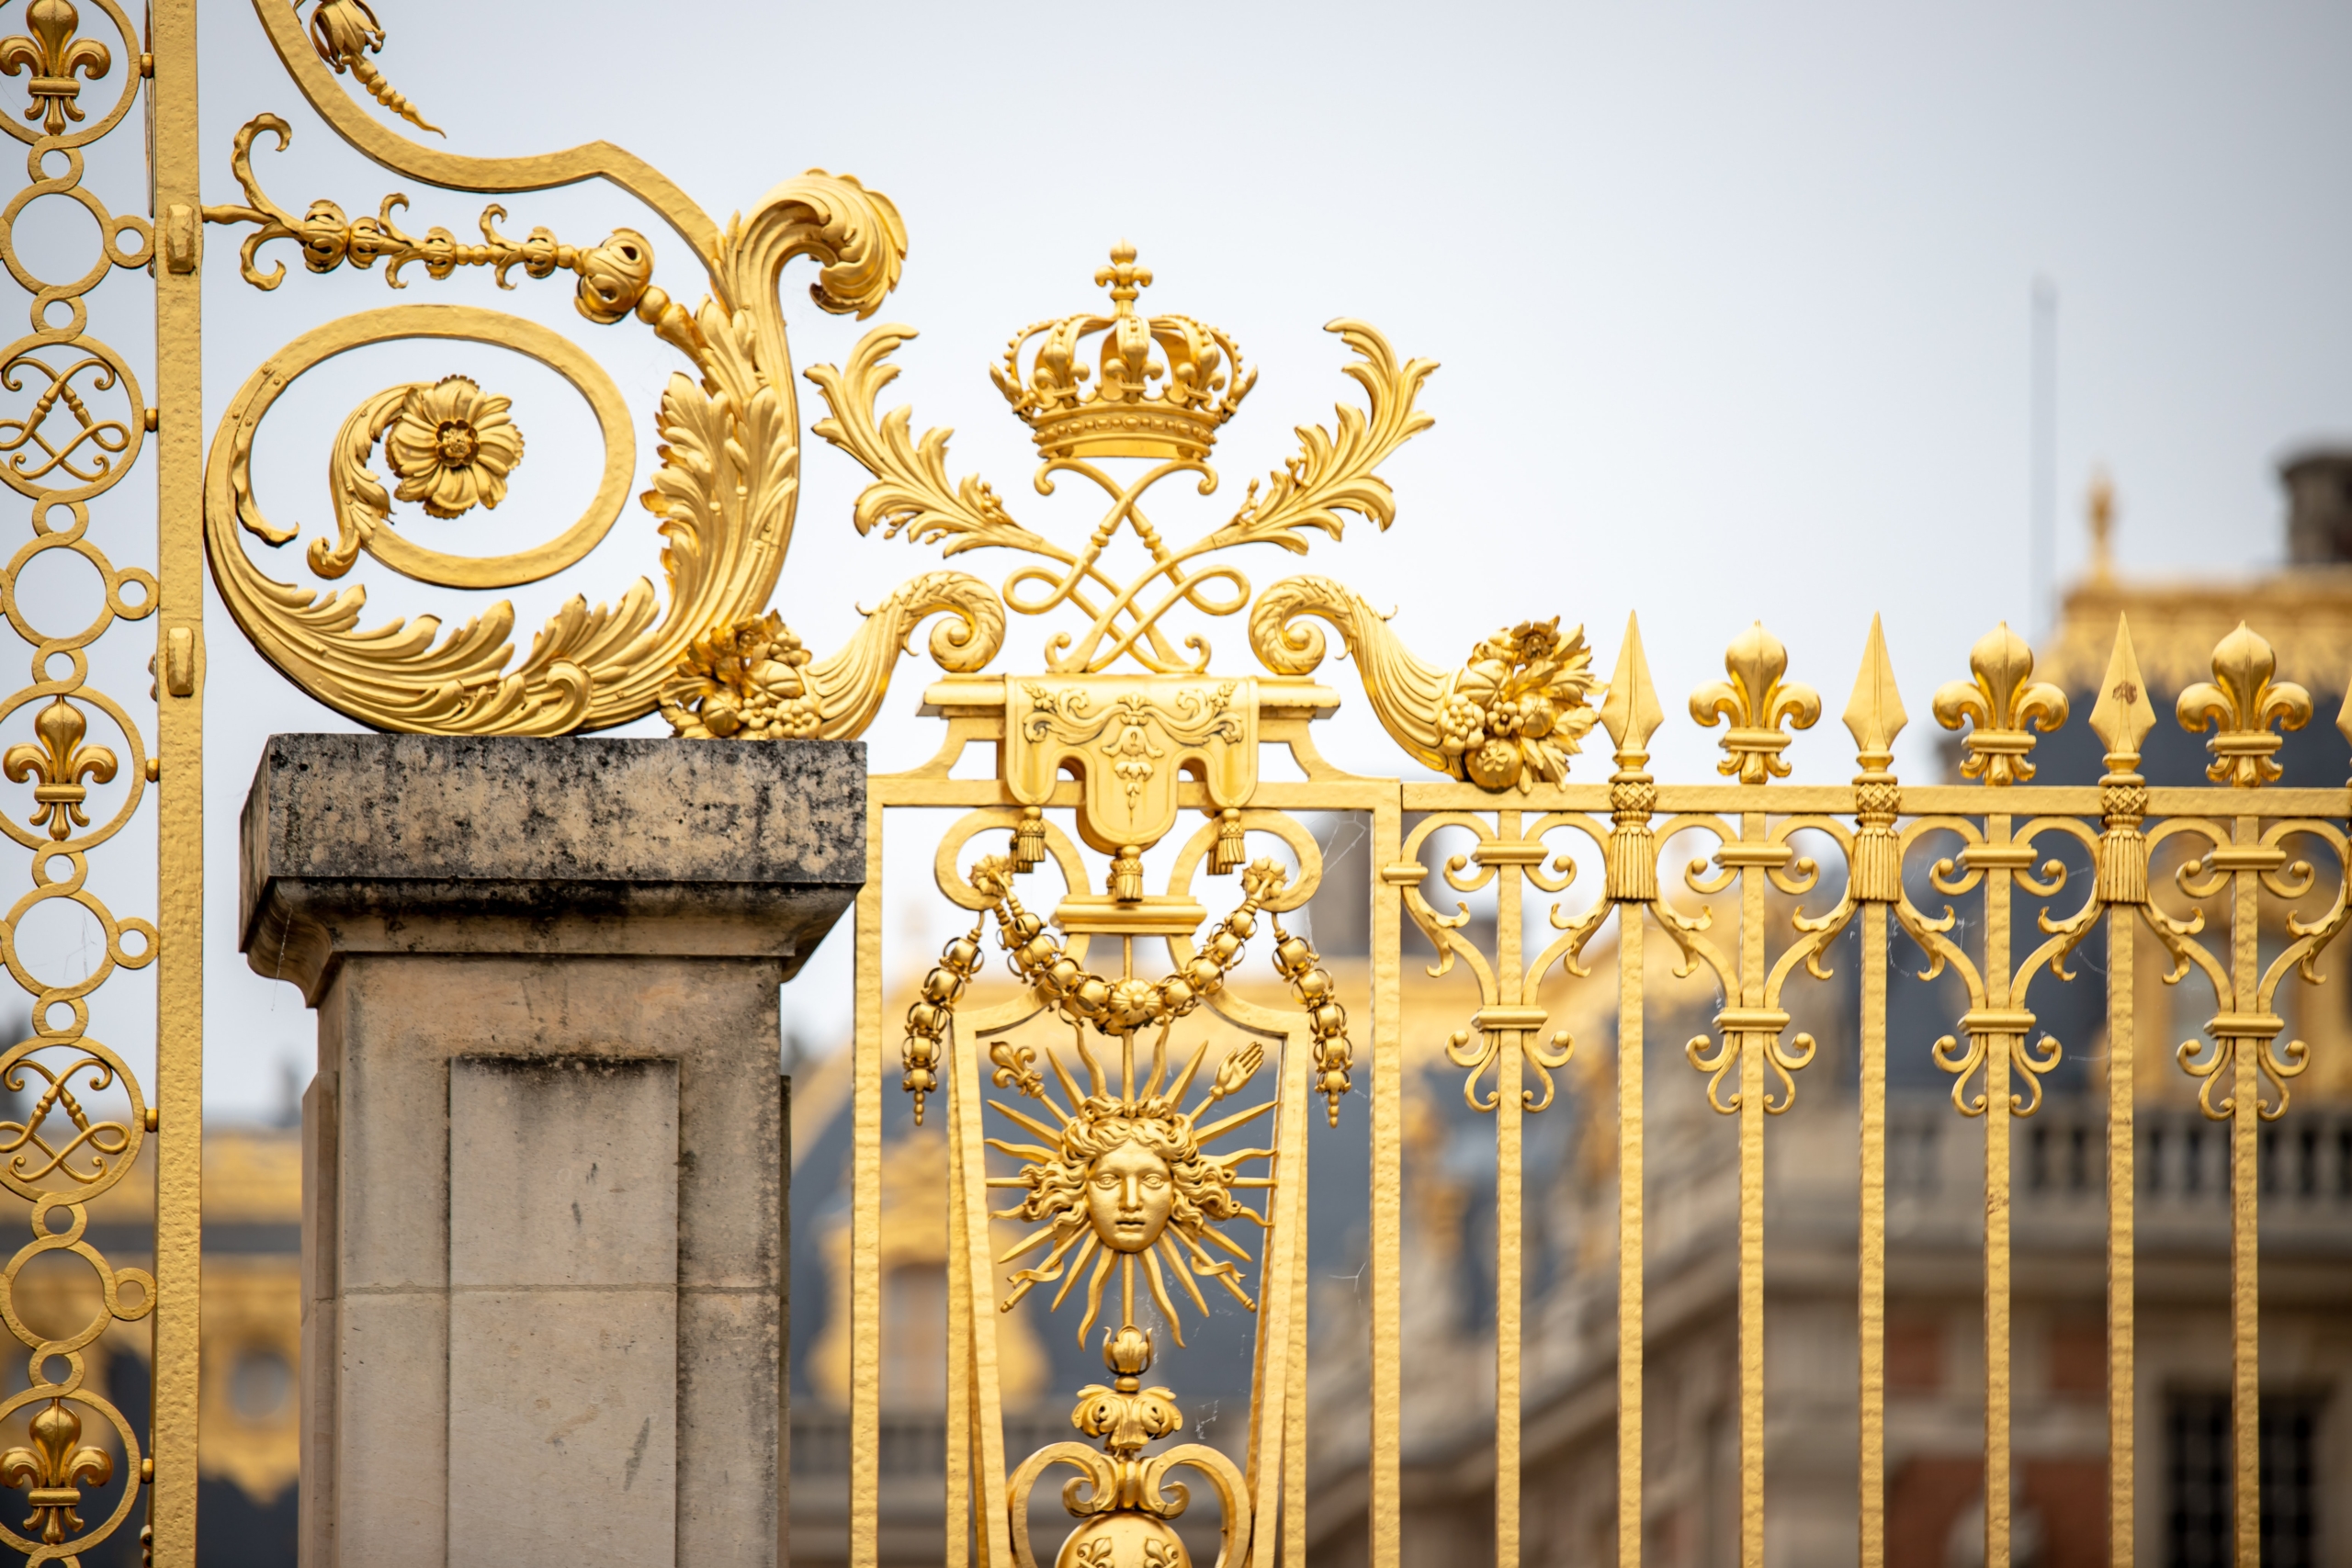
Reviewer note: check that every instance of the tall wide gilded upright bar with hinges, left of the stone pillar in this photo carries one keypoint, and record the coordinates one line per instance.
(180, 815)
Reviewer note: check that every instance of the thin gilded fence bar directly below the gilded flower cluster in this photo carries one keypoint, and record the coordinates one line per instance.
(1509, 965)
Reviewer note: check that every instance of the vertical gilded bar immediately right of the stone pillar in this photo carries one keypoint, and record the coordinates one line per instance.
(867, 1214)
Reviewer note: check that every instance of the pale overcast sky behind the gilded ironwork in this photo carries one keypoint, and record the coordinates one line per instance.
(1732, 302)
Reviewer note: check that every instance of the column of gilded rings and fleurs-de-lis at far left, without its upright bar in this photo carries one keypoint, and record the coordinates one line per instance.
(74, 424)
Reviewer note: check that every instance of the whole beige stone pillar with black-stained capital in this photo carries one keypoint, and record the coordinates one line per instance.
(544, 1181)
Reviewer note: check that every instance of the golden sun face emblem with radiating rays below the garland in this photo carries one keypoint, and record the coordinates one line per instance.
(1128, 1181)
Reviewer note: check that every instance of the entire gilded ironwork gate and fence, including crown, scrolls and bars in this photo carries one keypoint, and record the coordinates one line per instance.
(1125, 826)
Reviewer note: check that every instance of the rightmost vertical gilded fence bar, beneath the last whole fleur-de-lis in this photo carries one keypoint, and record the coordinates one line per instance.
(2245, 1198)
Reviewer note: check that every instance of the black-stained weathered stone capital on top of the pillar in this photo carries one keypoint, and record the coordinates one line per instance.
(413, 845)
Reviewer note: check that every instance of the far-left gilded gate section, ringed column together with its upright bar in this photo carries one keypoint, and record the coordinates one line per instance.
(81, 1118)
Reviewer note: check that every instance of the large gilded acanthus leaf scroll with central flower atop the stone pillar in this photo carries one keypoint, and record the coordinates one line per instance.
(723, 492)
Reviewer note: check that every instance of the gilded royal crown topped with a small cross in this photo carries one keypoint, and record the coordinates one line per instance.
(1121, 417)
